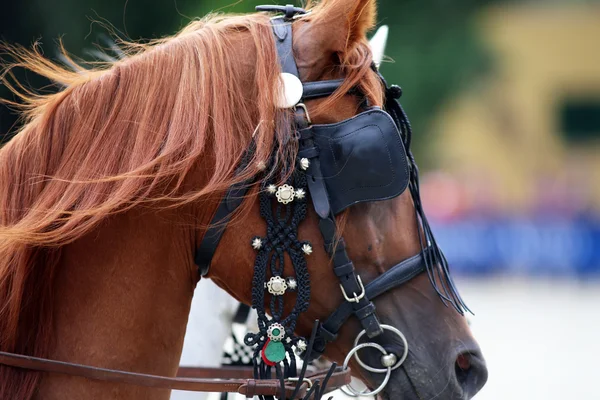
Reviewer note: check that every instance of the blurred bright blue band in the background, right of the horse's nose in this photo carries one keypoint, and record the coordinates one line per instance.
(548, 246)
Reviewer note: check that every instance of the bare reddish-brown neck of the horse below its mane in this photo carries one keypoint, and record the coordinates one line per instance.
(122, 298)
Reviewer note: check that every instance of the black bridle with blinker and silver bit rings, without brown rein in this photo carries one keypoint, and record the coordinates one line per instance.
(314, 174)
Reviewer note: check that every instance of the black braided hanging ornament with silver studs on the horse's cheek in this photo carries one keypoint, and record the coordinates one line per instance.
(283, 208)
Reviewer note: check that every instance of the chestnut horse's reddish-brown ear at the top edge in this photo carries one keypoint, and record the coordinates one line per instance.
(341, 24)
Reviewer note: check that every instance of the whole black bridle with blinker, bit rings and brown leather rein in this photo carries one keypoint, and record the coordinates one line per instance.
(283, 207)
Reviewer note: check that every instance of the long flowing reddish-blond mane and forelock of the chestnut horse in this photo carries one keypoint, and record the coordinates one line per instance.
(125, 134)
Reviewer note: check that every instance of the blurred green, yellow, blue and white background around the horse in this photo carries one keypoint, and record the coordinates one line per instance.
(504, 97)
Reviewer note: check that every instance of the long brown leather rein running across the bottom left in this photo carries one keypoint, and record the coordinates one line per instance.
(232, 380)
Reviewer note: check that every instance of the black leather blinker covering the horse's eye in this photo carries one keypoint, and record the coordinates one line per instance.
(361, 159)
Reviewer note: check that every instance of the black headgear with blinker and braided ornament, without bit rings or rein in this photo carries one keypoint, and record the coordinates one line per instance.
(364, 158)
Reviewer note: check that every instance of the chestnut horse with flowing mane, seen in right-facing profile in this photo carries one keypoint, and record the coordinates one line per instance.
(112, 184)
